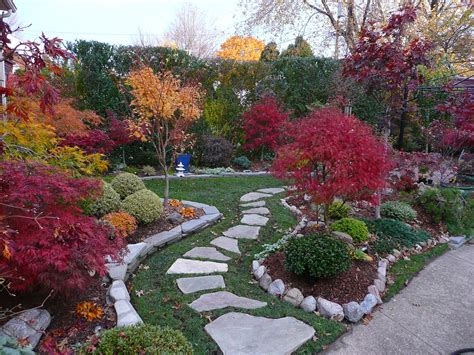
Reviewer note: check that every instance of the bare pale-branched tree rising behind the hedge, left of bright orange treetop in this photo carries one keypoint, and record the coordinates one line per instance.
(191, 32)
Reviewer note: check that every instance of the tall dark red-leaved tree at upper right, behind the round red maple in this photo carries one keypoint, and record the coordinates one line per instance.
(385, 60)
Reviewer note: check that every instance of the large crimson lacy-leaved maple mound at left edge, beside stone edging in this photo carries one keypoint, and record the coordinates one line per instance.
(50, 244)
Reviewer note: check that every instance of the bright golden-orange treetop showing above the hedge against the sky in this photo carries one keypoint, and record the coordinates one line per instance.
(241, 48)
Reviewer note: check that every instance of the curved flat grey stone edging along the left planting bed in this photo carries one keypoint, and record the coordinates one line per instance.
(119, 273)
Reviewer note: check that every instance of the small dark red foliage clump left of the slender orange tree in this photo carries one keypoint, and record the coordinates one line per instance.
(92, 141)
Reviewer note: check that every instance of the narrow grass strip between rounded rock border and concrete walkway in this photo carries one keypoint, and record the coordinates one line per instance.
(404, 270)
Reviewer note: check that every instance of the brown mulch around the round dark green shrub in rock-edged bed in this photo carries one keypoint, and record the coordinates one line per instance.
(349, 286)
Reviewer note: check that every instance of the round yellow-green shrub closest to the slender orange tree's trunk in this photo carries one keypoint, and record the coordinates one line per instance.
(144, 205)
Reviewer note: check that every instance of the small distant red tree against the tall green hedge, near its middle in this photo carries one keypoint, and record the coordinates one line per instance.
(263, 125)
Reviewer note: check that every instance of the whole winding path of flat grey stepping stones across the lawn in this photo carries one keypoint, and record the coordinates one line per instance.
(237, 333)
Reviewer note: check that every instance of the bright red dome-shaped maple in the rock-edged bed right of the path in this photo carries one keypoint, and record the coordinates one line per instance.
(332, 155)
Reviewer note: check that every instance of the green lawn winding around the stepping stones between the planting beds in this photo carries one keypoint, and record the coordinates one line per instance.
(163, 304)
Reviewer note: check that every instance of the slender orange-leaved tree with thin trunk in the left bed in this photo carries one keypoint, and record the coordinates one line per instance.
(165, 108)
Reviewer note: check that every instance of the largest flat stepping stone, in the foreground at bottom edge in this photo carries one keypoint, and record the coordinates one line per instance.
(239, 333)
